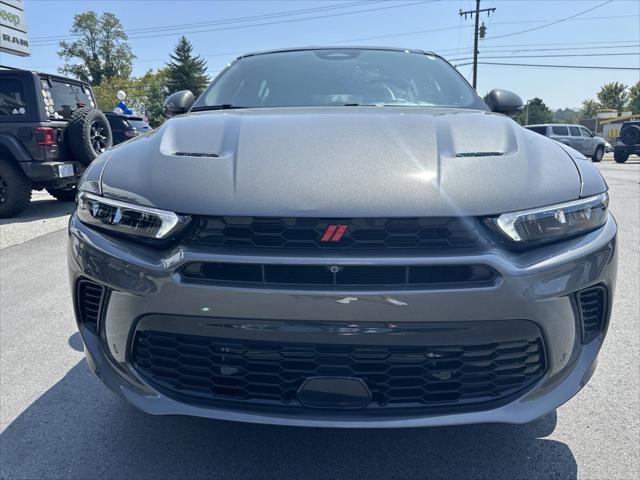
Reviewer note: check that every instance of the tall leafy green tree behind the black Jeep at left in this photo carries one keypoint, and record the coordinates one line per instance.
(101, 50)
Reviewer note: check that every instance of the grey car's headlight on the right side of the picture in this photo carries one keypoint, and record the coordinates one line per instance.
(555, 222)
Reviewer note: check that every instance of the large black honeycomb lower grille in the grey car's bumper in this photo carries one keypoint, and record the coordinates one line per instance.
(270, 373)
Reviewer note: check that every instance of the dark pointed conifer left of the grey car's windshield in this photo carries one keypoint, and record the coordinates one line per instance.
(186, 72)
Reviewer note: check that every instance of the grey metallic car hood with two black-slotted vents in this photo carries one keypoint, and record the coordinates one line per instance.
(341, 161)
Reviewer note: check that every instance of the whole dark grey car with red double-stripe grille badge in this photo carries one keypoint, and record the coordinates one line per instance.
(343, 237)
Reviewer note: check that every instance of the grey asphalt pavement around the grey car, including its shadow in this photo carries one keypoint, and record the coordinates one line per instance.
(58, 421)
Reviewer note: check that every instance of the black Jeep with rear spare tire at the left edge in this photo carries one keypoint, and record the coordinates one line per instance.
(50, 130)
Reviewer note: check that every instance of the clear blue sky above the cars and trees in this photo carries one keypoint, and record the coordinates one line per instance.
(603, 33)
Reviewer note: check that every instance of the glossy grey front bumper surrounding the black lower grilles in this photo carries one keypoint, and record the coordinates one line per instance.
(537, 286)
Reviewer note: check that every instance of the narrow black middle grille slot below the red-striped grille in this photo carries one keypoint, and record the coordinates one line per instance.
(340, 276)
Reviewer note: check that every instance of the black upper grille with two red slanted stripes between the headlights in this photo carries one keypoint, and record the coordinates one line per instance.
(357, 233)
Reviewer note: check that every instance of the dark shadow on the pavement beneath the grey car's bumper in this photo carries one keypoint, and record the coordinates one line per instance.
(79, 430)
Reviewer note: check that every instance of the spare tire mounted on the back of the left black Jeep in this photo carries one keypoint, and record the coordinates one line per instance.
(88, 134)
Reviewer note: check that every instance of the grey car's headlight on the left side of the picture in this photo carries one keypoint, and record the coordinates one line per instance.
(129, 219)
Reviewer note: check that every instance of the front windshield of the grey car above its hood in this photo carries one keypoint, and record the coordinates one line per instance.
(339, 77)
